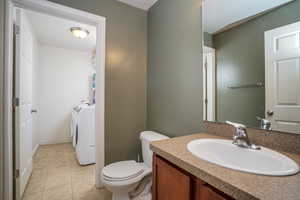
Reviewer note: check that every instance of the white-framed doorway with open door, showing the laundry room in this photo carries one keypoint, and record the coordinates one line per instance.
(56, 59)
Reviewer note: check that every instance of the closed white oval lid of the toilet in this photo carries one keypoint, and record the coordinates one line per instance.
(123, 170)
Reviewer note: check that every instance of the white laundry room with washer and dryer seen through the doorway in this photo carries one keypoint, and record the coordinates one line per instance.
(58, 73)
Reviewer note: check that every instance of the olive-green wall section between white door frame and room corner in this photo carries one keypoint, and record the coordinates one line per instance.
(126, 75)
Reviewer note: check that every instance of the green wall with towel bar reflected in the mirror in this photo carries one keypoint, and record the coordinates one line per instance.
(240, 59)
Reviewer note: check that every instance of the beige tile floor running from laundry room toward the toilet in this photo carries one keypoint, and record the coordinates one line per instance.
(47, 162)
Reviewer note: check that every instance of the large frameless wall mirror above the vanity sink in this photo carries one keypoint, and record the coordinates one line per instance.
(251, 62)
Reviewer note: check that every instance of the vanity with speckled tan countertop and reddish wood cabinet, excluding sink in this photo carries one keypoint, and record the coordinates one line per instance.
(178, 174)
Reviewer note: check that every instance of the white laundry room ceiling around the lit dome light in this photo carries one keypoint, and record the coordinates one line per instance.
(56, 32)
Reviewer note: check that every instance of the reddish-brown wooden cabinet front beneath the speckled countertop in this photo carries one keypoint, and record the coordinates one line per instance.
(172, 182)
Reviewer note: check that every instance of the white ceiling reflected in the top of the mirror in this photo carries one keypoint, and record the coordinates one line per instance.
(218, 14)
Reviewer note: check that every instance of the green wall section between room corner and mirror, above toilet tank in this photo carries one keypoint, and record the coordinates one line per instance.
(175, 67)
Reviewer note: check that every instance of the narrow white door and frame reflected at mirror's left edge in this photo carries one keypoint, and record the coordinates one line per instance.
(209, 83)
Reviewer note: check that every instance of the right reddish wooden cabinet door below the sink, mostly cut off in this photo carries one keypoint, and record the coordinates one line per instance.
(202, 191)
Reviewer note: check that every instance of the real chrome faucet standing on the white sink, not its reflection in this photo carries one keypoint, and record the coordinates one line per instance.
(240, 137)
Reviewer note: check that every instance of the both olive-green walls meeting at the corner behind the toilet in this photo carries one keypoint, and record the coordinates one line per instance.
(175, 83)
